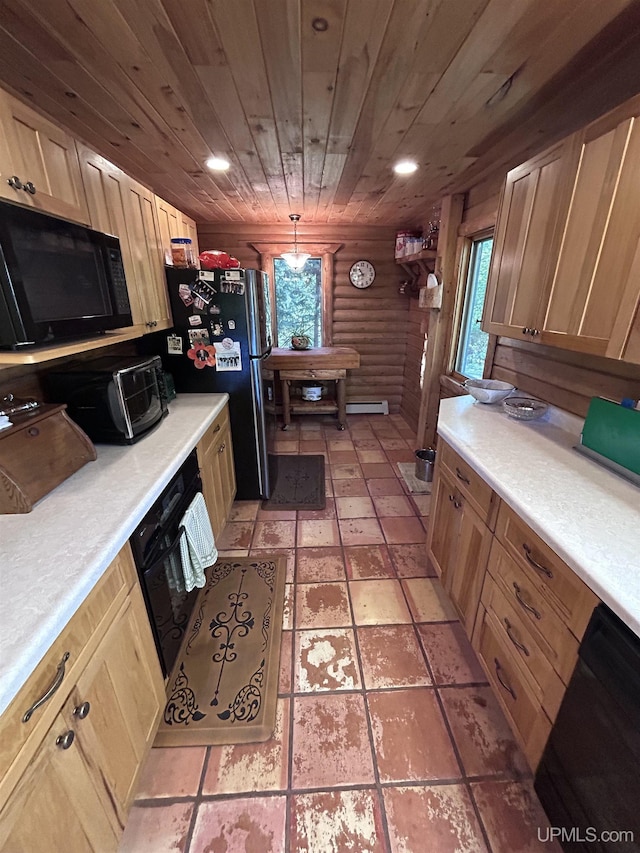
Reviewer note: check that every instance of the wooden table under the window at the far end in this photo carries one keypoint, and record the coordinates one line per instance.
(319, 363)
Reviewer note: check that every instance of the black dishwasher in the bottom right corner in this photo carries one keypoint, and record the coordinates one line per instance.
(589, 777)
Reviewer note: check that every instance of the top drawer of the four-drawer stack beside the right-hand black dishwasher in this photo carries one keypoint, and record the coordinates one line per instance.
(560, 585)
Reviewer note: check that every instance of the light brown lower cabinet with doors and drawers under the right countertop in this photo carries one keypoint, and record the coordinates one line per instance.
(523, 608)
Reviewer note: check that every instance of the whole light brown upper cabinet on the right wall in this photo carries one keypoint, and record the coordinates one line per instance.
(566, 269)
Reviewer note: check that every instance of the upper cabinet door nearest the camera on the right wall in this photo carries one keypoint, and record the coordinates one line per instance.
(595, 285)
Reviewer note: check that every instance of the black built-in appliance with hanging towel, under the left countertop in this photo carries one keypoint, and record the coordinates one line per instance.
(156, 551)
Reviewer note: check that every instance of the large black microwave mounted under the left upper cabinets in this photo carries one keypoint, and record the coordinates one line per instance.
(58, 280)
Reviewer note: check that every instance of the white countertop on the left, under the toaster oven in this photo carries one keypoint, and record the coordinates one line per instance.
(52, 557)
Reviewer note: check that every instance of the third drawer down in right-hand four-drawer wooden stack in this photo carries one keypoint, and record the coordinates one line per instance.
(514, 633)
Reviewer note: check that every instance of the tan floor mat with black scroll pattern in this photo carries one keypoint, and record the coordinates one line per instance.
(224, 686)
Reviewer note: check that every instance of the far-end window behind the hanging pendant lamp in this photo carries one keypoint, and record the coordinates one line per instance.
(298, 301)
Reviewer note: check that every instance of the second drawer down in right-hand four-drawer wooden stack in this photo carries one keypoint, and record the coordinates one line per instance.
(525, 597)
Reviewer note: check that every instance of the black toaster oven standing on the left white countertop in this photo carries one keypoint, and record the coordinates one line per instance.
(114, 399)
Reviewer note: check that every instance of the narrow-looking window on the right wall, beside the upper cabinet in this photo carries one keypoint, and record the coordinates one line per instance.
(472, 341)
